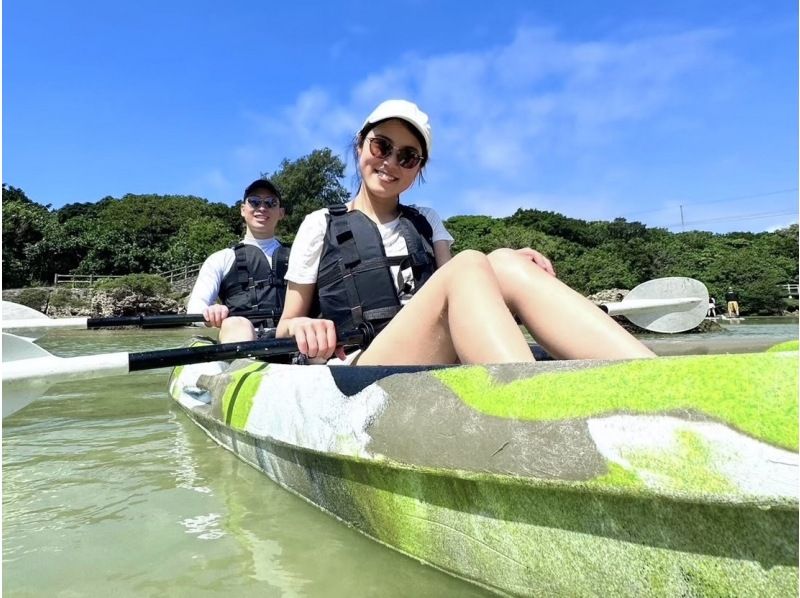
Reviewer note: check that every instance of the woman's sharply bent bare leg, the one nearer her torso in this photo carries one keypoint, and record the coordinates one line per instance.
(459, 316)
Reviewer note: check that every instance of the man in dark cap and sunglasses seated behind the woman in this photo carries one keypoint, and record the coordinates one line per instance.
(249, 276)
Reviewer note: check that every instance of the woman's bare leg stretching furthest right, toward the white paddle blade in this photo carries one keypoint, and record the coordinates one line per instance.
(567, 324)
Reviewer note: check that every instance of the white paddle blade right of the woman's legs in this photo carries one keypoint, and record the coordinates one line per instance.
(683, 316)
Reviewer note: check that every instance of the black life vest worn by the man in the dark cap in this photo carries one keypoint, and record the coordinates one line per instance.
(252, 285)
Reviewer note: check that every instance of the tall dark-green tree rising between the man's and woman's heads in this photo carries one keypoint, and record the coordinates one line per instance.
(307, 184)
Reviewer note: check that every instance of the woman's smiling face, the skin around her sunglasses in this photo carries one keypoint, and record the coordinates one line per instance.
(384, 177)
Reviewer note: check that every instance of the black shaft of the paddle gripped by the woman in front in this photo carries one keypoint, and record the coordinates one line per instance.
(148, 360)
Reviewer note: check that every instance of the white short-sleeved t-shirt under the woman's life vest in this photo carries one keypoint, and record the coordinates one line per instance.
(307, 247)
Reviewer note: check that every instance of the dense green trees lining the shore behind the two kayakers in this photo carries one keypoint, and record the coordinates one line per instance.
(156, 233)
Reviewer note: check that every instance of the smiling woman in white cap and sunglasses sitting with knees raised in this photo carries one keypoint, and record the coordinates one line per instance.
(362, 262)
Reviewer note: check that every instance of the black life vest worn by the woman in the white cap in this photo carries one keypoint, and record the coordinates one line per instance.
(354, 281)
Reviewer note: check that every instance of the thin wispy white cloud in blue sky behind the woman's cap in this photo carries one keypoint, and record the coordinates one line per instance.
(509, 114)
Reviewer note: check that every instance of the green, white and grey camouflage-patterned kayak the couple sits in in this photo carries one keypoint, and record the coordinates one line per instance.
(676, 476)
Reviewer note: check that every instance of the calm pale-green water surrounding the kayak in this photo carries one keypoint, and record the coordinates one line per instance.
(108, 488)
